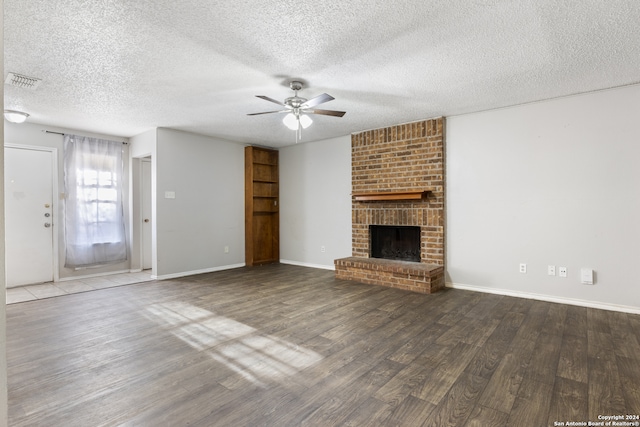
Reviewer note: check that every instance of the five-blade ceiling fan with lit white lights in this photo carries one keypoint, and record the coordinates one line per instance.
(299, 108)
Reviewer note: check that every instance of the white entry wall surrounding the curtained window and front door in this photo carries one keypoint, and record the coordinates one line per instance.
(33, 135)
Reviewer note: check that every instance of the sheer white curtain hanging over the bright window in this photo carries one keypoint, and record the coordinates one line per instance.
(94, 223)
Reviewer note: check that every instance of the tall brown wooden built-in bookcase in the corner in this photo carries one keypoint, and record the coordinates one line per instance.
(262, 210)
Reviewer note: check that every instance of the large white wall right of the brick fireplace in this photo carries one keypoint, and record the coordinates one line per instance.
(550, 183)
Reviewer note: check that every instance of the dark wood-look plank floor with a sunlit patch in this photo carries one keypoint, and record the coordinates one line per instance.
(283, 345)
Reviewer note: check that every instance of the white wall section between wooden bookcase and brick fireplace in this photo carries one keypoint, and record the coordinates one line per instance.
(315, 202)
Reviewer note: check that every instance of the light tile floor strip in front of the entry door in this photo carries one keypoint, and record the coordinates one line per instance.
(54, 289)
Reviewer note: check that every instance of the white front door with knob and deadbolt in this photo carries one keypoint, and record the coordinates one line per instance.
(29, 220)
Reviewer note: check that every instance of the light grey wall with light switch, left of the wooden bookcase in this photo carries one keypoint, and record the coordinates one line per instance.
(207, 214)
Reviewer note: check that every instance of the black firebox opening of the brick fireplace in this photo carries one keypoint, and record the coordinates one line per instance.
(393, 242)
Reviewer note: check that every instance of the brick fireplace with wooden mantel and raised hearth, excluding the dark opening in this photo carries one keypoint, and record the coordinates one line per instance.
(398, 179)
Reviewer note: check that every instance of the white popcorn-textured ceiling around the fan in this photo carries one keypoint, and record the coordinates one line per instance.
(124, 67)
